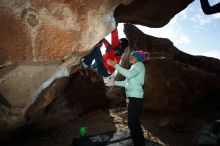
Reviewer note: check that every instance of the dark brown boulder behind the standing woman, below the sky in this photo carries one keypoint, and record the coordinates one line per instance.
(175, 80)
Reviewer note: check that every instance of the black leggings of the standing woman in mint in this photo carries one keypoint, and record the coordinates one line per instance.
(134, 111)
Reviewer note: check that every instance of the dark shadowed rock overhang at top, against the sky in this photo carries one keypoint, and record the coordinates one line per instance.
(150, 12)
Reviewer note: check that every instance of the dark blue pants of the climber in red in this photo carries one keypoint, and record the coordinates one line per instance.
(96, 55)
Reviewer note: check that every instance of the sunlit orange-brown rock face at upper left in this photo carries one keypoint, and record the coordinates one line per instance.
(45, 31)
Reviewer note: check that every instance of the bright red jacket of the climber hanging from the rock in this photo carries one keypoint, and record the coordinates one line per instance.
(110, 50)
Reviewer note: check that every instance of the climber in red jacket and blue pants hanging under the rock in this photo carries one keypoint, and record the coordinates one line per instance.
(113, 52)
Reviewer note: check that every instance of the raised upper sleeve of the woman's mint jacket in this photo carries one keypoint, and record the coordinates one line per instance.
(127, 73)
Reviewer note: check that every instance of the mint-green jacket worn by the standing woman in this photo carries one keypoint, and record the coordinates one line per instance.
(134, 81)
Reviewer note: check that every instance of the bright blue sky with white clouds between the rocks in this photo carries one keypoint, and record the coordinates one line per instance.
(190, 30)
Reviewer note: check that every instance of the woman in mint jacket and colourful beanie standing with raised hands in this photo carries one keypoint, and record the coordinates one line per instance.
(133, 85)
